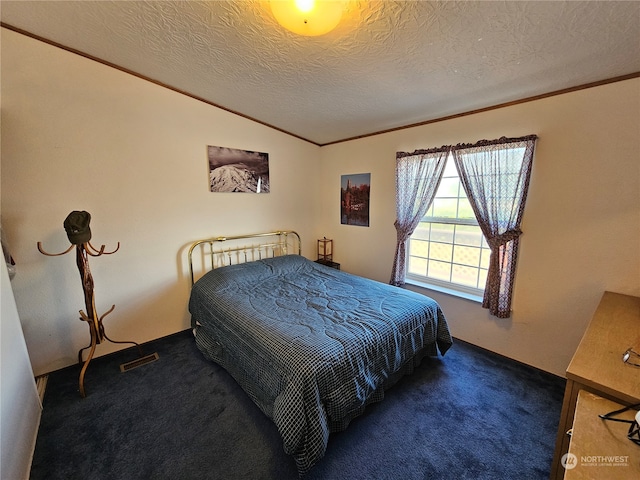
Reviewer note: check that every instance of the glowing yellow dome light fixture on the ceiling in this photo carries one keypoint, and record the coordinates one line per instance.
(307, 17)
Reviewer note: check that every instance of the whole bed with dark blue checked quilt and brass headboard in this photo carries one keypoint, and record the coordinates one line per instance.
(311, 345)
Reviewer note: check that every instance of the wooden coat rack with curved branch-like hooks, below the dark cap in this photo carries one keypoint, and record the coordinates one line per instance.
(96, 327)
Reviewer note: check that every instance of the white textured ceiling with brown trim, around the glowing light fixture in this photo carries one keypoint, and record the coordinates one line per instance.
(388, 64)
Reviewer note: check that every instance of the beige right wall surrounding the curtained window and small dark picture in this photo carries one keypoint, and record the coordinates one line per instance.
(581, 224)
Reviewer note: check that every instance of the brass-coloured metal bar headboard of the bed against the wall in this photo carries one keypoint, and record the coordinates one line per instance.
(281, 243)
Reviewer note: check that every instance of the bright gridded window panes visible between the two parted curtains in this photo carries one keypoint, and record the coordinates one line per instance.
(448, 249)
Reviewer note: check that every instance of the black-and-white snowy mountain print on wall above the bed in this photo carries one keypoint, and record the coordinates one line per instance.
(233, 170)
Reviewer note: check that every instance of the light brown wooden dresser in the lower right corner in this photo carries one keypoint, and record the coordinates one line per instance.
(597, 367)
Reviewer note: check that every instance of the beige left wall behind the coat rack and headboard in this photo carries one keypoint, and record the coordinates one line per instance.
(78, 135)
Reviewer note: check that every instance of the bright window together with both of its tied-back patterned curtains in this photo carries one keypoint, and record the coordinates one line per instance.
(443, 245)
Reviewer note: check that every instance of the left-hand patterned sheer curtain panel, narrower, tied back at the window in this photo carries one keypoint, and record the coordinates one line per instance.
(418, 175)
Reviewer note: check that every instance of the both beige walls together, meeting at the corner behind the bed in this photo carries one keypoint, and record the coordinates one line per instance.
(79, 135)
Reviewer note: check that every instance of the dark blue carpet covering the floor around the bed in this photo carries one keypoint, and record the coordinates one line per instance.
(469, 415)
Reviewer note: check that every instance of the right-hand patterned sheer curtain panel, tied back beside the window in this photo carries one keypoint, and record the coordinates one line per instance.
(495, 176)
